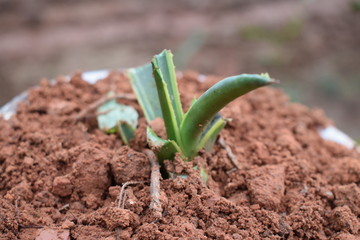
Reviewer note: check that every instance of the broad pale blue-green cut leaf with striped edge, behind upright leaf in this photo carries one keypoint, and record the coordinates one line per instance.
(144, 86)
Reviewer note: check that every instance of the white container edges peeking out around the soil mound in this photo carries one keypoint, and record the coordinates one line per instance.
(329, 133)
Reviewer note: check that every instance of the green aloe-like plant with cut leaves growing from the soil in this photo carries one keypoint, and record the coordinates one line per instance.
(187, 133)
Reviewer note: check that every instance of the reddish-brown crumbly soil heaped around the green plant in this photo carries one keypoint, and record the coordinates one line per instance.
(59, 178)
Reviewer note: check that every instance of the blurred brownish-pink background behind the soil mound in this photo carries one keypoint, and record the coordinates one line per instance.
(312, 46)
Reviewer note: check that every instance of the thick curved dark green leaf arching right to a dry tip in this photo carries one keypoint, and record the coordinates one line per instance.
(211, 102)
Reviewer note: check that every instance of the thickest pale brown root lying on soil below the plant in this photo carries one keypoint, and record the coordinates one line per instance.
(155, 204)
